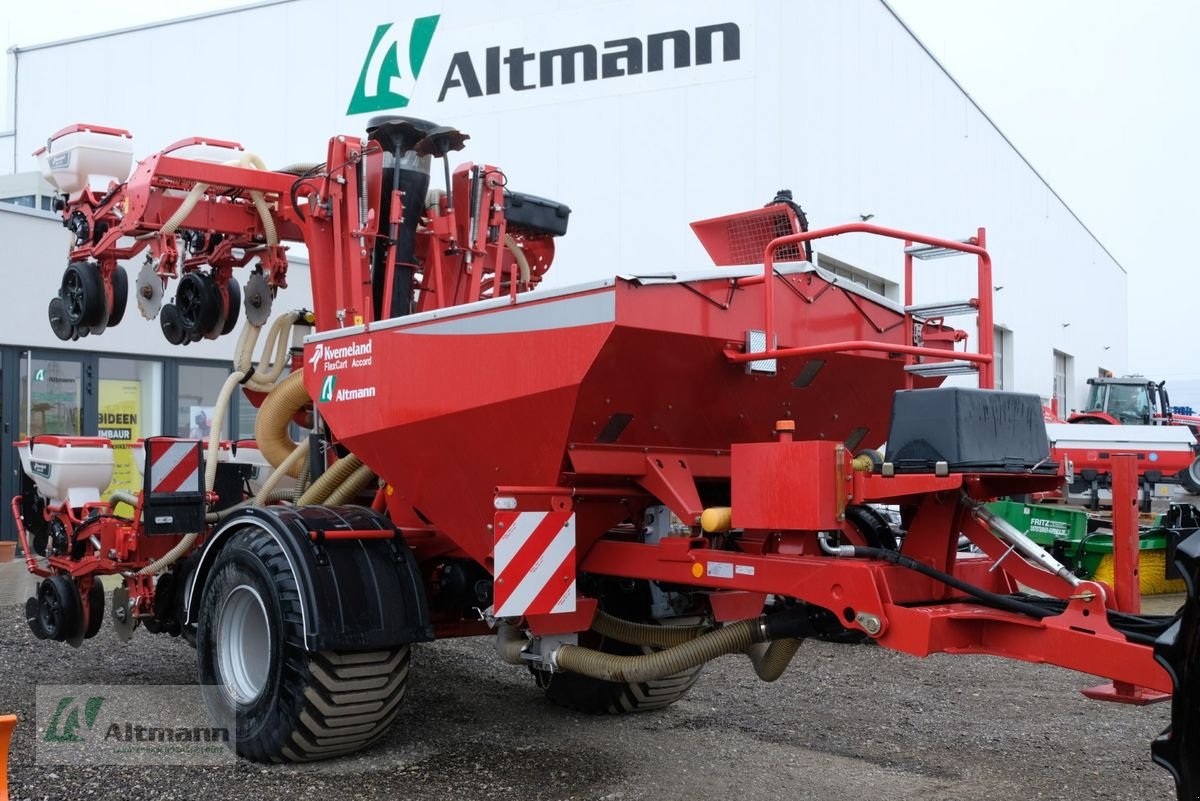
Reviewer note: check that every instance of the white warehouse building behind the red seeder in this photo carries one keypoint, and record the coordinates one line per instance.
(640, 117)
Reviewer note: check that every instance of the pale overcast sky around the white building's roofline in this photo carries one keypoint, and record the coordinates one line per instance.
(1100, 95)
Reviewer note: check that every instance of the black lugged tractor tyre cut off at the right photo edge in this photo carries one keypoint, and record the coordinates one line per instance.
(1178, 749)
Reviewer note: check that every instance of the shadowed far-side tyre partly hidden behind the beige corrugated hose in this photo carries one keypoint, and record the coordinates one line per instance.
(597, 697)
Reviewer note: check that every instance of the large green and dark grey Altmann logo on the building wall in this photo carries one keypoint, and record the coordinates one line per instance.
(391, 70)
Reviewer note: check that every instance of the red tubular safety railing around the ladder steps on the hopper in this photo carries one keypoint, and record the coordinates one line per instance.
(983, 359)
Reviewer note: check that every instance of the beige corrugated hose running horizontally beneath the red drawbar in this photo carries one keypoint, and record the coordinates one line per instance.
(647, 667)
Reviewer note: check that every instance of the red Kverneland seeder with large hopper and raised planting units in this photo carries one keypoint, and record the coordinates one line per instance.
(617, 481)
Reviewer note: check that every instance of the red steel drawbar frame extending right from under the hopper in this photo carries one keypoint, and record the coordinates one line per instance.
(916, 615)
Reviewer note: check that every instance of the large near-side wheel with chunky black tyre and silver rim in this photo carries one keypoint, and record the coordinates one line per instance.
(280, 702)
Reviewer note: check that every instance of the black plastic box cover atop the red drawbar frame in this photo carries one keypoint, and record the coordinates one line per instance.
(983, 431)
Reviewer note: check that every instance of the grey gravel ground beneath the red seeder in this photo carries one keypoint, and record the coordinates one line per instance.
(847, 721)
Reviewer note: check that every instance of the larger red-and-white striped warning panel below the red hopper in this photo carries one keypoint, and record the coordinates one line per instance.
(535, 563)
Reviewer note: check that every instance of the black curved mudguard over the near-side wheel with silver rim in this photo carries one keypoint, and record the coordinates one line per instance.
(356, 593)
